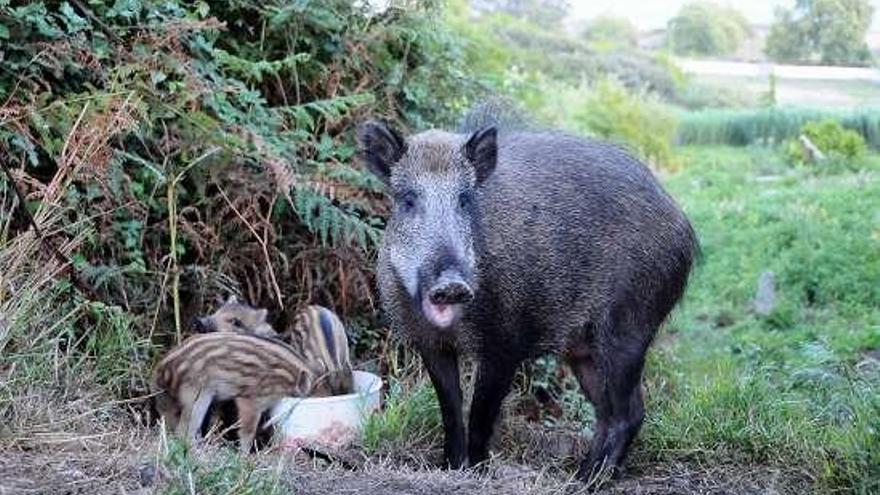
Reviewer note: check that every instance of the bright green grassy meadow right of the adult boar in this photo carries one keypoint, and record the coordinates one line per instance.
(787, 389)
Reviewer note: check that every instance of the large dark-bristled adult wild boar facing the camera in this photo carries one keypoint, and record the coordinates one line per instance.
(508, 244)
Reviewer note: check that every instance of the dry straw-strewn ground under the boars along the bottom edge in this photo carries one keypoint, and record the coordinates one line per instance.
(134, 461)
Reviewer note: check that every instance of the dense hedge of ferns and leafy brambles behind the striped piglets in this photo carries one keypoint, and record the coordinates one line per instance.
(192, 149)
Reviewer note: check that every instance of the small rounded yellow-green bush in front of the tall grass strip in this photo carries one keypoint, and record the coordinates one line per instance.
(832, 139)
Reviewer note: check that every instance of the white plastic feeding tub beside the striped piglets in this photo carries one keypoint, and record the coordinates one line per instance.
(333, 421)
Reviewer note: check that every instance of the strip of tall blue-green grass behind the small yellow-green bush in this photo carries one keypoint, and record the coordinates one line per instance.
(768, 125)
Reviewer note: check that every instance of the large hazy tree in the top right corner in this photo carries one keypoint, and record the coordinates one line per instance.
(830, 32)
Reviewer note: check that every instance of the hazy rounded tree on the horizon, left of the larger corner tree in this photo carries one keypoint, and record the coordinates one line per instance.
(706, 28)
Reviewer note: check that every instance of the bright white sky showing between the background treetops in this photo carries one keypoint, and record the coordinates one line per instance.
(650, 14)
